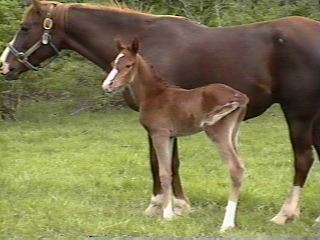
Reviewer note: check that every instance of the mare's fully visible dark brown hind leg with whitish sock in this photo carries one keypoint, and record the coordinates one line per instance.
(300, 127)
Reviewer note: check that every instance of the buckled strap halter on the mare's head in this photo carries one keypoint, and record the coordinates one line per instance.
(46, 39)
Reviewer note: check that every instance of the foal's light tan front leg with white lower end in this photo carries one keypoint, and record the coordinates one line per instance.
(163, 146)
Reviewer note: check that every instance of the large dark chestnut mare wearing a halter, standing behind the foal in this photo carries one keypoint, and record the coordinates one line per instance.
(271, 62)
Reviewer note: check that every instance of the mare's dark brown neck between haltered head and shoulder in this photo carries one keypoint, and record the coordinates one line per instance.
(91, 31)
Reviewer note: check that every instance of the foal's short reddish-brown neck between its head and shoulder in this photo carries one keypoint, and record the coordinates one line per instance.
(147, 83)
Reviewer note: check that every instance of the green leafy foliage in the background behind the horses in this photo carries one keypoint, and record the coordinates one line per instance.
(77, 81)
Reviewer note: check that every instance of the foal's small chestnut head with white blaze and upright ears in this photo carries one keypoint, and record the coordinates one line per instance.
(123, 67)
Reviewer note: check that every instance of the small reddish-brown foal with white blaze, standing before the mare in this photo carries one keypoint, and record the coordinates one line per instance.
(168, 111)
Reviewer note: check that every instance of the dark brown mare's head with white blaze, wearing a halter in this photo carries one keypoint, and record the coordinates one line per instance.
(37, 40)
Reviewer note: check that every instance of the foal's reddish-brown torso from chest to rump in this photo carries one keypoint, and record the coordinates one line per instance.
(185, 112)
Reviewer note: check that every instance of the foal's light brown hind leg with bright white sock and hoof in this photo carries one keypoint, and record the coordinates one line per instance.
(224, 133)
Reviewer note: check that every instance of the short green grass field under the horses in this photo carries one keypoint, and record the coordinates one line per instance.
(69, 177)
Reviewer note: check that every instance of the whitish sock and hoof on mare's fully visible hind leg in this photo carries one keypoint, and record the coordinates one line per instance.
(290, 208)
